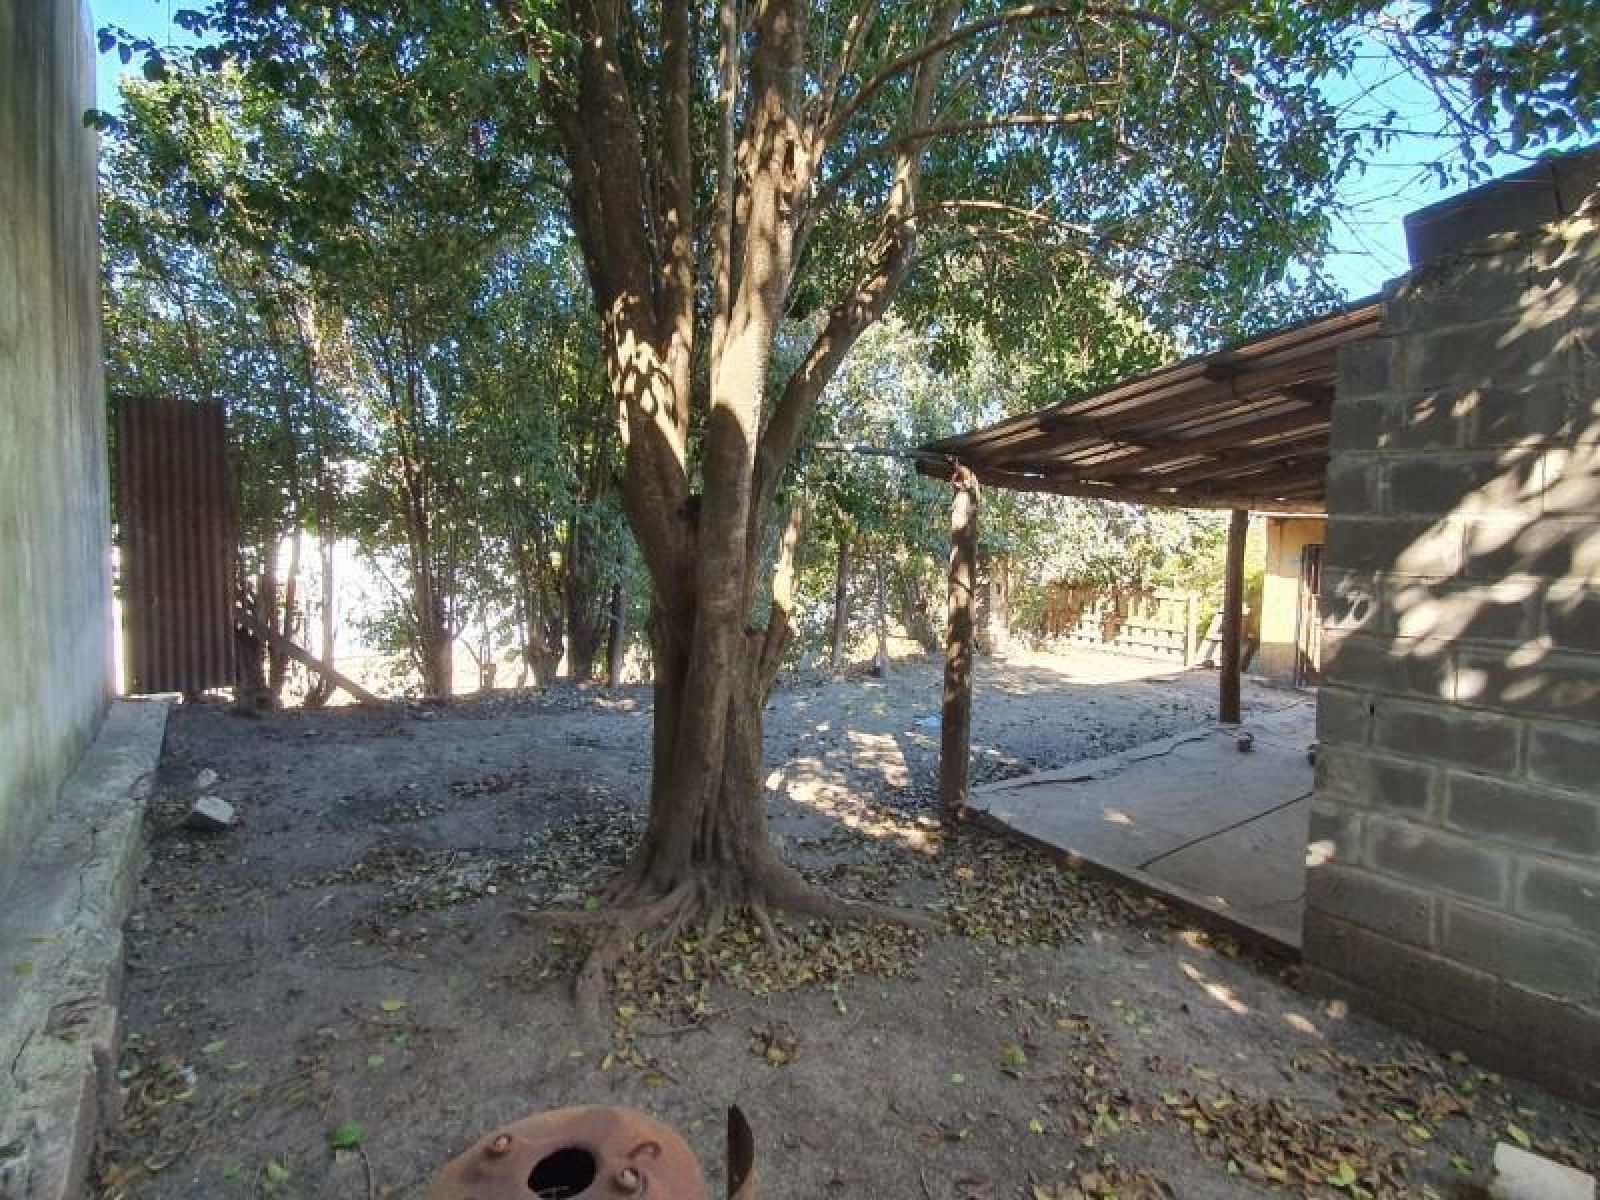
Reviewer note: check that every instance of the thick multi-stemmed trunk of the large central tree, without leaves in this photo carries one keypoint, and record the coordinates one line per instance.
(703, 532)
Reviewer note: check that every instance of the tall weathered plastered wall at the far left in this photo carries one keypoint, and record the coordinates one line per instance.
(55, 585)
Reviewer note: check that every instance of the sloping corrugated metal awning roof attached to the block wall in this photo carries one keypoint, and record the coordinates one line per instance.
(1241, 428)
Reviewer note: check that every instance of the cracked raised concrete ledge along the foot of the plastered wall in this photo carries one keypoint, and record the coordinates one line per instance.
(62, 959)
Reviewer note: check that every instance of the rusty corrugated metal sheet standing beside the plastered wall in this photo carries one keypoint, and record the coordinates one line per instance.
(175, 530)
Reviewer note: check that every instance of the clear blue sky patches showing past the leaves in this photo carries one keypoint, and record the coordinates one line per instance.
(1369, 239)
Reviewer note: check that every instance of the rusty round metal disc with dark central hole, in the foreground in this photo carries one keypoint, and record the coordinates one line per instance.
(575, 1153)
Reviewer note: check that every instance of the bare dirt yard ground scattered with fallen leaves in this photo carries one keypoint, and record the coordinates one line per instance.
(356, 967)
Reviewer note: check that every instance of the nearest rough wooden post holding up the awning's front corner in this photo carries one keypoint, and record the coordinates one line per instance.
(956, 724)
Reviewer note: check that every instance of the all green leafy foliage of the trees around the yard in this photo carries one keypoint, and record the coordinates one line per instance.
(353, 223)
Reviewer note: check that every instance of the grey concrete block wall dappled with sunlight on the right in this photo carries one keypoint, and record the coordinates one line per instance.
(1454, 878)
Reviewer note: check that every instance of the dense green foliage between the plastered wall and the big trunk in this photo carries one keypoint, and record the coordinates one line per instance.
(401, 338)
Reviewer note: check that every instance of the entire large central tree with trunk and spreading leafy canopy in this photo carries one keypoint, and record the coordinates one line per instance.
(754, 185)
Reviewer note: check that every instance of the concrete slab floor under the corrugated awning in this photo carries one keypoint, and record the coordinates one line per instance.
(1190, 817)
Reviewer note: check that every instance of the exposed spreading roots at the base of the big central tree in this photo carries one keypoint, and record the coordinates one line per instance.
(705, 903)
